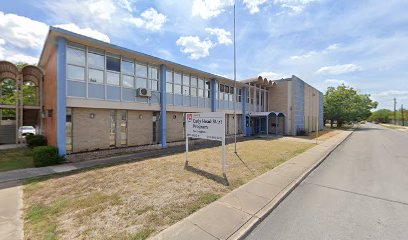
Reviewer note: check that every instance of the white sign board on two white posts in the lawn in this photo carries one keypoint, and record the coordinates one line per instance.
(206, 125)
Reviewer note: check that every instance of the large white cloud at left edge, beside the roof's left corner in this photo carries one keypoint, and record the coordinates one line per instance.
(21, 31)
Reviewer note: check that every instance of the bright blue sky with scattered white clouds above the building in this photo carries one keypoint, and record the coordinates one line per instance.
(362, 44)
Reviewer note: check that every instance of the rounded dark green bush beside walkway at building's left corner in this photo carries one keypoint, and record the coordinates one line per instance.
(46, 156)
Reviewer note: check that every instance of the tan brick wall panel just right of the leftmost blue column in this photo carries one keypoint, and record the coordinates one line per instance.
(90, 134)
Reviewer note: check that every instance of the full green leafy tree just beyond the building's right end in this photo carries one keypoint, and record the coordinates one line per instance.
(345, 104)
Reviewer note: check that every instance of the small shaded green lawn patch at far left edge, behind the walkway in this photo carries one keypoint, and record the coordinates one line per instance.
(16, 158)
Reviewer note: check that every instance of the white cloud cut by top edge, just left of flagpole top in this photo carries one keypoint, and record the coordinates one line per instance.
(210, 8)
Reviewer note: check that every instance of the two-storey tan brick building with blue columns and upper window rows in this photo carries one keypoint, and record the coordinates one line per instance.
(98, 95)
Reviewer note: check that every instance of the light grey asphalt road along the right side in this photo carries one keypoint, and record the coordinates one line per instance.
(359, 192)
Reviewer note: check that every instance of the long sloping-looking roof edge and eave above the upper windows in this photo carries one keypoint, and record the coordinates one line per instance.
(54, 33)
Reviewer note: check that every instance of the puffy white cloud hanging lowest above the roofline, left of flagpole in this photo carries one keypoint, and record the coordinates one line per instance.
(194, 46)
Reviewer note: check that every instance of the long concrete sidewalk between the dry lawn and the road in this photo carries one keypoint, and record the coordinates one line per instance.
(234, 215)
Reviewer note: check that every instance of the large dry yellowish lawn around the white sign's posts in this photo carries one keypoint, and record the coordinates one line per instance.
(137, 200)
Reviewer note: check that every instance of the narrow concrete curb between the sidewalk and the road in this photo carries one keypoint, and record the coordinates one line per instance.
(251, 224)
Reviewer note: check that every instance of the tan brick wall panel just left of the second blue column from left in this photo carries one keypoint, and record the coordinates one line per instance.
(140, 131)
